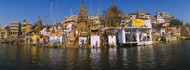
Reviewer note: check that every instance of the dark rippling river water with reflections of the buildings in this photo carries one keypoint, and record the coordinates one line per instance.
(170, 55)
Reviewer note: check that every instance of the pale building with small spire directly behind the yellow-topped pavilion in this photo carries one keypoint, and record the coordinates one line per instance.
(140, 15)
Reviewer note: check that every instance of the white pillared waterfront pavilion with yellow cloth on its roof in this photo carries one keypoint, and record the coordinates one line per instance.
(136, 33)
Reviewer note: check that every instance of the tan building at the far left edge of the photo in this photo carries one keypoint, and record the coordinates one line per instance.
(4, 32)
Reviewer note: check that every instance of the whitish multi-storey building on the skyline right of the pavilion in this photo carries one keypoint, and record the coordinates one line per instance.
(163, 17)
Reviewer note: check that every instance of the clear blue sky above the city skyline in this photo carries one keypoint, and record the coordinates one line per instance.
(17, 10)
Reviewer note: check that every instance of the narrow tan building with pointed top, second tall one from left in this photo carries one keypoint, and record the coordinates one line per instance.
(26, 27)
